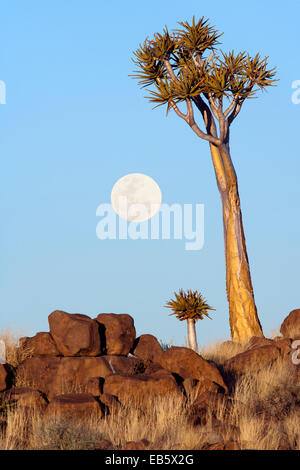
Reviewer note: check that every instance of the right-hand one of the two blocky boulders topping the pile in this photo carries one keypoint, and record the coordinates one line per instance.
(117, 333)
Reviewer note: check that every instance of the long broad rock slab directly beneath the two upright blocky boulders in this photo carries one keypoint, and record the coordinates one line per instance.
(57, 375)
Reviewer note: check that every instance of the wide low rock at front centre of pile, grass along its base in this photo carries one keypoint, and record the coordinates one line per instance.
(140, 389)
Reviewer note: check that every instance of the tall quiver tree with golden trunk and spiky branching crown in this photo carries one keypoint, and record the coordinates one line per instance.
(186, 67)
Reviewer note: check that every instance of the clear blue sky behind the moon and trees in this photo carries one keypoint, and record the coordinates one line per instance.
(75, 122)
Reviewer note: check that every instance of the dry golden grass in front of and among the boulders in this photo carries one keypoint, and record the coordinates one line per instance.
(265, 411)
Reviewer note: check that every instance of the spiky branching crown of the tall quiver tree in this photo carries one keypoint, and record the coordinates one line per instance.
(178, 66)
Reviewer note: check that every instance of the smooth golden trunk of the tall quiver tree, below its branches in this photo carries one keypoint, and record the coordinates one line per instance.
(244, 322)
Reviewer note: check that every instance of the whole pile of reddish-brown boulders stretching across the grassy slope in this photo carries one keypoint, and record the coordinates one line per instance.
(88, 366)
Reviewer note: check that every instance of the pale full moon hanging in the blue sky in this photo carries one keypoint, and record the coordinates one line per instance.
(136, 197)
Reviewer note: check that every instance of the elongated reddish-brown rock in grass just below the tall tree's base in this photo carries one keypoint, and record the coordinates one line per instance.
(252, 360)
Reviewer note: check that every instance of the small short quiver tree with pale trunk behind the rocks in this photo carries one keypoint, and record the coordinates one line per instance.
(190, 306)
